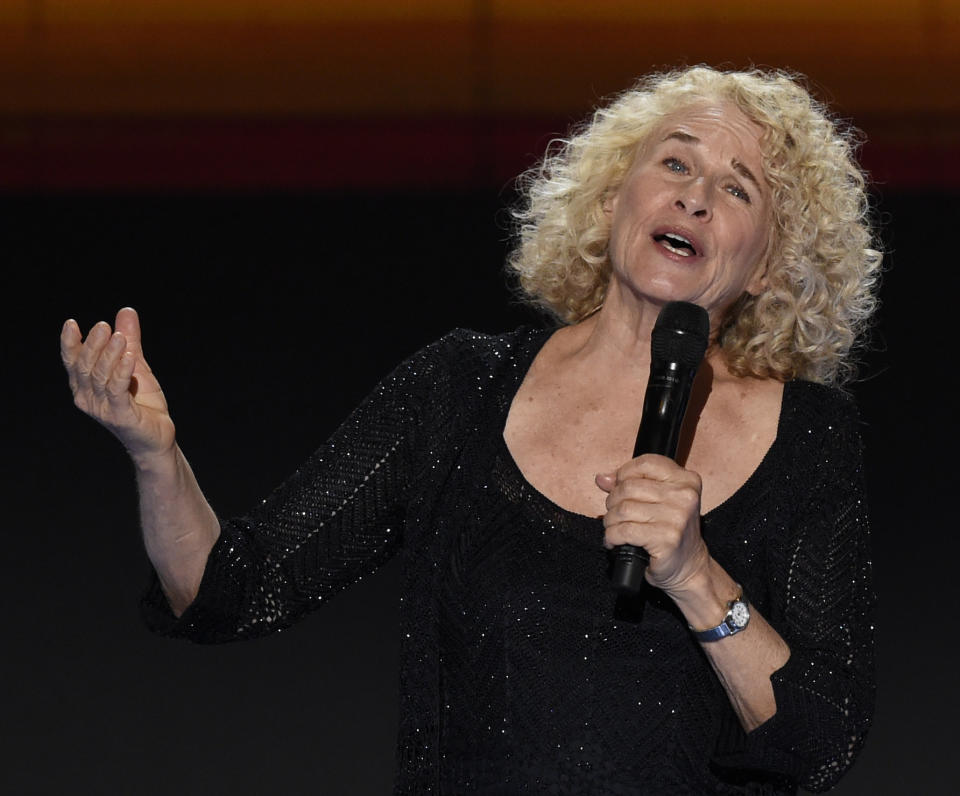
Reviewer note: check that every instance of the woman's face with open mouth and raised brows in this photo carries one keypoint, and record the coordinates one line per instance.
(691, 221)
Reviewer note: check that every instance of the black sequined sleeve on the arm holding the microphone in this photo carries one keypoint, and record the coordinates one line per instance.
(821, 601)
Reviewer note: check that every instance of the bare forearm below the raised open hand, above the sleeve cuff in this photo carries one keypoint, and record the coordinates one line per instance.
(179, 527)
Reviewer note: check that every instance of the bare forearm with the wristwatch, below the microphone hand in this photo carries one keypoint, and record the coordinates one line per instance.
(743, 662)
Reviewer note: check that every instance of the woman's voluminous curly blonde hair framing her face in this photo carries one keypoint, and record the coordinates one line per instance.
(821, 269)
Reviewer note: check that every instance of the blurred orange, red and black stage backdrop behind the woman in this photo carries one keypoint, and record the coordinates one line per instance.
(296, 195)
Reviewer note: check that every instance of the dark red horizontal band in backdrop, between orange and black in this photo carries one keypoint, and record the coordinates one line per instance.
(367, 155)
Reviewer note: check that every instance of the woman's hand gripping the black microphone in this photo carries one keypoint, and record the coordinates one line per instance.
(654, 503)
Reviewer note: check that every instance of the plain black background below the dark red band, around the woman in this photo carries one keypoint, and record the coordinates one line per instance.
(267, 317)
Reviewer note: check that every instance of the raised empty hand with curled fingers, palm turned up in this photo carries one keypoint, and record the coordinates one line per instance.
(112, 382)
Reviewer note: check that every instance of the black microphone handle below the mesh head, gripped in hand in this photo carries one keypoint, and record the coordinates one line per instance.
(664, 407)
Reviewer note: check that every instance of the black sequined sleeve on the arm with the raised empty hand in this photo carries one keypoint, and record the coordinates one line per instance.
(339, 517)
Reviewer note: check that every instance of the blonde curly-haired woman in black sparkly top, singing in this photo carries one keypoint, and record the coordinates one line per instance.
(485, 462)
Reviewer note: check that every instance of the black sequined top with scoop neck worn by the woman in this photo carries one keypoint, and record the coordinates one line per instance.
(519, 672)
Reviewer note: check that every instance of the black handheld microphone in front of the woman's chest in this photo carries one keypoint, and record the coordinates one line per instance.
(677, 345)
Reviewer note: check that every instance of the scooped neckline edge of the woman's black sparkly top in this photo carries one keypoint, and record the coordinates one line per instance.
(533, 347)
